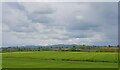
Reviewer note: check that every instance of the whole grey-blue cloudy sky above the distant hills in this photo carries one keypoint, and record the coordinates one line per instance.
(37, 23)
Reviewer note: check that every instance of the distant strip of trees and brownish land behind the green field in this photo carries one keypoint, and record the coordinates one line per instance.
(82, 48)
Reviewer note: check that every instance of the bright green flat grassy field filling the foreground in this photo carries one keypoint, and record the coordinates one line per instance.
(55, 59)
